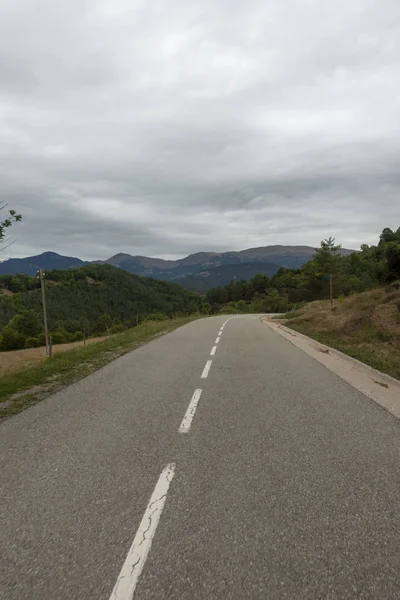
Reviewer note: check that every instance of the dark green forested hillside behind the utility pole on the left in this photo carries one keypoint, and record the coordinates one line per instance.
(95, 298)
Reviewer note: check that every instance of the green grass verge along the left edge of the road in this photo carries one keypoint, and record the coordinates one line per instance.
(22, 389)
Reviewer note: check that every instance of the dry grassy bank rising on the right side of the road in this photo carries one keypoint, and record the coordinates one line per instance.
(365, 326)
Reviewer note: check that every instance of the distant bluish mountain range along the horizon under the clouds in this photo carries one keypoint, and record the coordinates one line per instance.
(200, 272)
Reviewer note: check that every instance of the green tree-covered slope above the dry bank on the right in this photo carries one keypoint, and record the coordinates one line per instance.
(371, 267)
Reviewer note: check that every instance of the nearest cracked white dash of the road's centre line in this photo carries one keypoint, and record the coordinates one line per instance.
(134, 562)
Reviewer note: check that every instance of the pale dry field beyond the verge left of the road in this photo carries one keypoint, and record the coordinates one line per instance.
(18, 360)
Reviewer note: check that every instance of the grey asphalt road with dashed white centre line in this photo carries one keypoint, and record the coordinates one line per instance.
(285, 482)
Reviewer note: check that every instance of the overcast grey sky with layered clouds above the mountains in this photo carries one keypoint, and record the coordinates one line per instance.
(167, 127)
